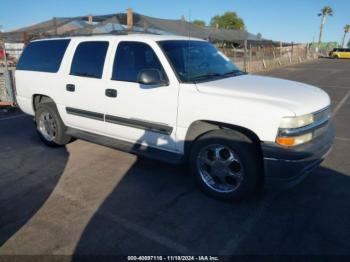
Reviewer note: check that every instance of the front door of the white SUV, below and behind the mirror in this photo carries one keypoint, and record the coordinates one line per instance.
(141, 114)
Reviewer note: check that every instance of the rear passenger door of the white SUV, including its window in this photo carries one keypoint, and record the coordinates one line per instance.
(83, 89)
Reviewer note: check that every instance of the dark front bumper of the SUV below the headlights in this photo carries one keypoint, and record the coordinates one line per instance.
(286, 167)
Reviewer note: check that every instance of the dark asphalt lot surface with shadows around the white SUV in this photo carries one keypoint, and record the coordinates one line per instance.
(88, 199)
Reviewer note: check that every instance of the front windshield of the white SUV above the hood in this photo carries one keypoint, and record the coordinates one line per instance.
(198, 60)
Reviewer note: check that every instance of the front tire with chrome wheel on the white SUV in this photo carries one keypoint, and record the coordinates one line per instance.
(226, 164)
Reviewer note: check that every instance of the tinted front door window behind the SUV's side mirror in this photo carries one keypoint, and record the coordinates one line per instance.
(131, 58)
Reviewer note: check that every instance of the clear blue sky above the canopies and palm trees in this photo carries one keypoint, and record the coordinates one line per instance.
(279, 20)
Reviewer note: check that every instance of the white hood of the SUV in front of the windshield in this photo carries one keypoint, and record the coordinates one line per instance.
(296, 97)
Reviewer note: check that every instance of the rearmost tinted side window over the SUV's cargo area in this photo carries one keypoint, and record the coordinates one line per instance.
(43, 56)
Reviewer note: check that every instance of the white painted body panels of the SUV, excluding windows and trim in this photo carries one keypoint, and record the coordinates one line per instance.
(254, 102)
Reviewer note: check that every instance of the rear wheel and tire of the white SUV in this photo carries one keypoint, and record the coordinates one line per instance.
(50, 127)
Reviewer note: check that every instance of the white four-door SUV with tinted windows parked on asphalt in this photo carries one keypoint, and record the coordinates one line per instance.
(176, 100)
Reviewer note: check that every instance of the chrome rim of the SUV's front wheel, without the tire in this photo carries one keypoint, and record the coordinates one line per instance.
(220, 168)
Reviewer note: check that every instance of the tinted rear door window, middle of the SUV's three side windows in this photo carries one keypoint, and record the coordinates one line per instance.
(89, 58)
